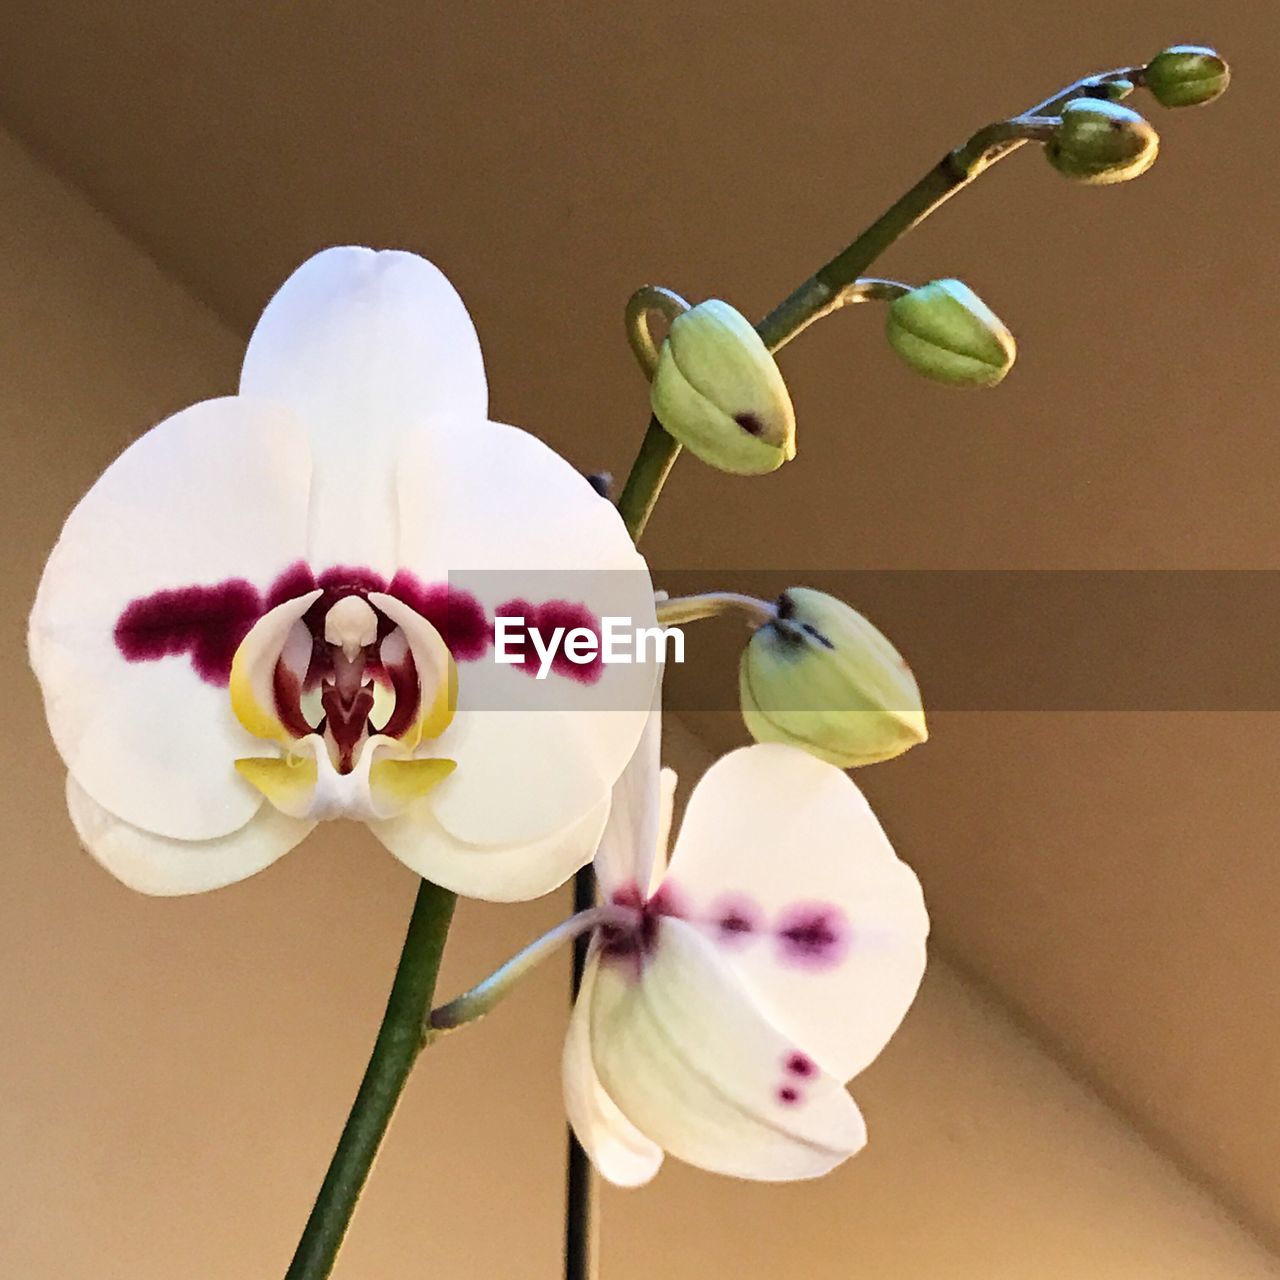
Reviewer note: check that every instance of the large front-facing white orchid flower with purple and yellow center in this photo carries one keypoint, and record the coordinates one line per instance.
(248, 624)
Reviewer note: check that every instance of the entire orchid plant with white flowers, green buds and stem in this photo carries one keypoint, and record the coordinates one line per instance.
(254, 623)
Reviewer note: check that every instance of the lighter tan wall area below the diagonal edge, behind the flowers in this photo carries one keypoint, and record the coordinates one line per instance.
(173, 1073)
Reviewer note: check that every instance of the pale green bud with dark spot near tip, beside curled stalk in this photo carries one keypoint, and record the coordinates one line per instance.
(719, 391)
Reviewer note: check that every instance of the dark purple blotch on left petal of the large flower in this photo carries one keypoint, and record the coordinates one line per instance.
(205, 623)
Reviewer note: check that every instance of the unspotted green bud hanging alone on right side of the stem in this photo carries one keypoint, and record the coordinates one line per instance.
(947, 332)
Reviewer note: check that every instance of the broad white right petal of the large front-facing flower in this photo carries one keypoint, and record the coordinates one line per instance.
(501, 516)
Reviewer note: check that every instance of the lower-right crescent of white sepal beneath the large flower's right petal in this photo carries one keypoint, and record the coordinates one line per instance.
(497, 874)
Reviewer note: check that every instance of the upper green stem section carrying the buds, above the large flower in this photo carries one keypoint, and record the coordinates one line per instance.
(826, 290)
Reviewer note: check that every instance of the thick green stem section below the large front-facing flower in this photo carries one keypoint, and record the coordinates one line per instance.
(400, 1041)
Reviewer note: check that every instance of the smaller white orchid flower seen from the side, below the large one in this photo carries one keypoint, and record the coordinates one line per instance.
(769, 966)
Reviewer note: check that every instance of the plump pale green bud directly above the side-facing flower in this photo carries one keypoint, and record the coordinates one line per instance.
(820, 676)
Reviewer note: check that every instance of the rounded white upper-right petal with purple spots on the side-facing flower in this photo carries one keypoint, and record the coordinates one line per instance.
(776, 843)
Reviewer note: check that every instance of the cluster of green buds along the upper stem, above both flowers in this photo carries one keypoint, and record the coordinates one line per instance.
(716, 387)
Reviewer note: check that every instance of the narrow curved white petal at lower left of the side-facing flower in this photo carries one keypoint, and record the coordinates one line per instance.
(621, 1154)
